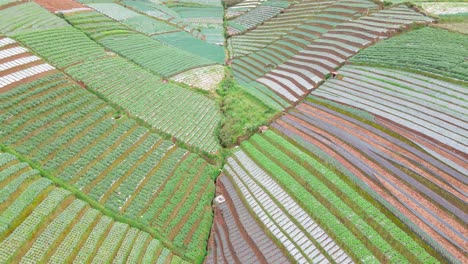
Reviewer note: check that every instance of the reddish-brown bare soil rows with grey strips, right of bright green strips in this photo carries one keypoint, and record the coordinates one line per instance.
(366, 154)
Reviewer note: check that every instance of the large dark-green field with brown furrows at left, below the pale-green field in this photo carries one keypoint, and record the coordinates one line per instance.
(115, 161)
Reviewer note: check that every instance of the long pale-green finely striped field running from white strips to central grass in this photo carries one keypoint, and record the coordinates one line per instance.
(67, 46)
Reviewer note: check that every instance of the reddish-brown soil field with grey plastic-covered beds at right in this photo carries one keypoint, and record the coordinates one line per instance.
(370, 154)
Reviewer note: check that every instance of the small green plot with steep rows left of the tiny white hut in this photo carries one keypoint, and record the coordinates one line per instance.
(181, 203)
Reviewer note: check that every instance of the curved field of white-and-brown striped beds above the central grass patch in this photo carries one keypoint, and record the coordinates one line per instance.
(293, 75)
